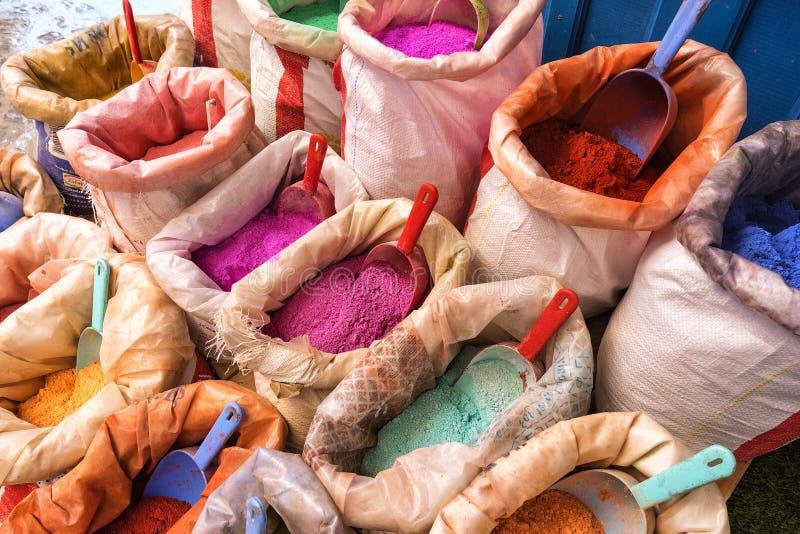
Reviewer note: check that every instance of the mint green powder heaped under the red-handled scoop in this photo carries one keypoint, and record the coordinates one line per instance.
(445, 414)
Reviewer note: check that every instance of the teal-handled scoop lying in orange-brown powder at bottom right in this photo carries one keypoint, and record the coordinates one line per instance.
(623, 505)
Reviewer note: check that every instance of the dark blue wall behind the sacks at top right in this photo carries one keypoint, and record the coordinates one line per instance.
(762, 36)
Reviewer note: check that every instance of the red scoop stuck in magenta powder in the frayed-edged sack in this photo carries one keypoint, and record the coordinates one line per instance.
(404, 255)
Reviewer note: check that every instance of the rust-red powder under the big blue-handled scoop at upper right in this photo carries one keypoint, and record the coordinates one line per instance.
(588, 161)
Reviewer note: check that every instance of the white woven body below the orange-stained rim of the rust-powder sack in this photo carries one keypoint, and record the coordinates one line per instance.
(511, 240)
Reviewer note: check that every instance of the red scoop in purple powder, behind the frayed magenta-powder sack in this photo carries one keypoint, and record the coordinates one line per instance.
(310, 194)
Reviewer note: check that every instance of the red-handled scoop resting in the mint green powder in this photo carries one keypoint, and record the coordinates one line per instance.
(522, 356)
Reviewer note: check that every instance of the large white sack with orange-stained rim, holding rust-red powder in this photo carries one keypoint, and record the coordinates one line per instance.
(590, 242)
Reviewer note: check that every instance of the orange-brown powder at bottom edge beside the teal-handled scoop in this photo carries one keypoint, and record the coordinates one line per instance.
(552, 511)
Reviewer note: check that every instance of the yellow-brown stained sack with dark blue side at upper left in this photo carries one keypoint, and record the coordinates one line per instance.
(52, 83)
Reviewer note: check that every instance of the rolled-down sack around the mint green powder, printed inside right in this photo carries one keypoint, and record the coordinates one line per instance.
(406, 497)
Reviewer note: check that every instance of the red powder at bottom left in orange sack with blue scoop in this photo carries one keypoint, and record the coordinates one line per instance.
(151, 515)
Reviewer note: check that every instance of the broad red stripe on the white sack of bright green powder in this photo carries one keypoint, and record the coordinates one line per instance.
(289, 115)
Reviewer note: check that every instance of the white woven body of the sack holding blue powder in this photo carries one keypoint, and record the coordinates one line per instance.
(687, 352)
